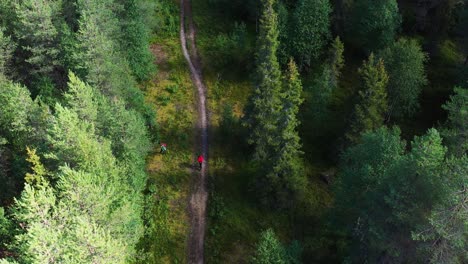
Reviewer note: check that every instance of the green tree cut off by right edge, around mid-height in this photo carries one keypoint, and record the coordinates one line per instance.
(456, 131)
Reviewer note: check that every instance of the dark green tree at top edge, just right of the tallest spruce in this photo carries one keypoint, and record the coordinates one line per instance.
(309, 31)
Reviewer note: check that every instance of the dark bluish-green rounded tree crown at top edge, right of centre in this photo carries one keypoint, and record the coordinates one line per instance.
(372, 24)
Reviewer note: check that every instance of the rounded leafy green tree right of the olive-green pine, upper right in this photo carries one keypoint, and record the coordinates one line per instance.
(404, 61)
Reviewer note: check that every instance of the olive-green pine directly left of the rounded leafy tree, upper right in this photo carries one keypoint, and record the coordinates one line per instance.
(370, 111)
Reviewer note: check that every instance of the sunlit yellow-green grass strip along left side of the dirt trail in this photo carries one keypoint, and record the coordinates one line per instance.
(171, 92)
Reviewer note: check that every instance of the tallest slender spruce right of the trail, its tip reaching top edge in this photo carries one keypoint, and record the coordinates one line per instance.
(265, 104)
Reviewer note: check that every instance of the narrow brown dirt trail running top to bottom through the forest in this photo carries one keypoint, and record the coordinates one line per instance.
(199, 195)
